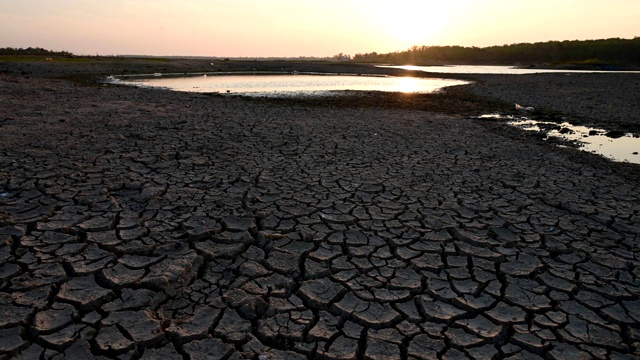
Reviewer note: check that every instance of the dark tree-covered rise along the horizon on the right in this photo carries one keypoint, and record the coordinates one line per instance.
(604, 51)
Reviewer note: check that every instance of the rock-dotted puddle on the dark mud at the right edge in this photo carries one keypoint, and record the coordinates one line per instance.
(615, 145)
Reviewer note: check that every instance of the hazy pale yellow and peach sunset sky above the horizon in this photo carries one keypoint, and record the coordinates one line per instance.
(265, 28)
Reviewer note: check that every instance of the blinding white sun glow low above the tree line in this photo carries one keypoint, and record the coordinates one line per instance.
(412, 23)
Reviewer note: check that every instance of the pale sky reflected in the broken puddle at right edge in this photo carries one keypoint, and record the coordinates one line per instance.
(624, 149)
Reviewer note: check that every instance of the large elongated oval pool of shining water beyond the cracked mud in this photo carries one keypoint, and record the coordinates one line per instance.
(293, 85)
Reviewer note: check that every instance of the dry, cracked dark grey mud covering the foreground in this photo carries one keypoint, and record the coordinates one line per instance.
(150, 224)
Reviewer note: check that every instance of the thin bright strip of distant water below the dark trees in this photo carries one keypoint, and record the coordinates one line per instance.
(492, 69)
